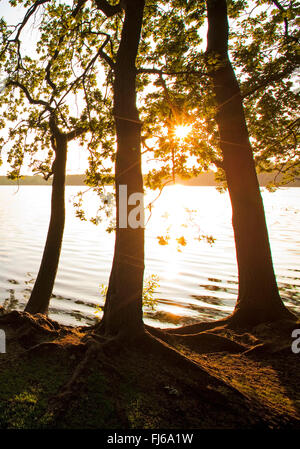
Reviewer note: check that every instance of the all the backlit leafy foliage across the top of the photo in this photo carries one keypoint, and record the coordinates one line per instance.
(75, 45)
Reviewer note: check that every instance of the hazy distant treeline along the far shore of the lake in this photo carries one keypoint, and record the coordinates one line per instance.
(205, 179)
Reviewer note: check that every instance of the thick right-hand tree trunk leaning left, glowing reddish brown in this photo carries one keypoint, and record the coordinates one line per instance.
(258, 298)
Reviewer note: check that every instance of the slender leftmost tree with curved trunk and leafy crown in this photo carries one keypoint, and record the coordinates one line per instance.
(50, 122)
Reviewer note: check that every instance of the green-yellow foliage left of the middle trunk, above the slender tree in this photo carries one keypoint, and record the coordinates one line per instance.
(57, 75)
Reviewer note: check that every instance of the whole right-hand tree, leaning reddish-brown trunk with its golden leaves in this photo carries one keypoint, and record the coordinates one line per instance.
(258, 298)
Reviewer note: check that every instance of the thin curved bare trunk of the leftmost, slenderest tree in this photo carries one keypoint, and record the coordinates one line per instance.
(42, 290)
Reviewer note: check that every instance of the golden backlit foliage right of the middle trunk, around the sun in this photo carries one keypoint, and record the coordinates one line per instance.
(263, 46)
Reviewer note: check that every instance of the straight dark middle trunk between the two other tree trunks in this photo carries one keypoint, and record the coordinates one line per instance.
(123, 307)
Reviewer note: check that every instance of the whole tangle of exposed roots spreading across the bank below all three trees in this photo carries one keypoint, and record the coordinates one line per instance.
(174, 352)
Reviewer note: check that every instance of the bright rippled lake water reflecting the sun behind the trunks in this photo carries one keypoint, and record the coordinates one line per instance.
(196, 280)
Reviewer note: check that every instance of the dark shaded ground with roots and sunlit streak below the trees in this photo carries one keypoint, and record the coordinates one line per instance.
(55, 376)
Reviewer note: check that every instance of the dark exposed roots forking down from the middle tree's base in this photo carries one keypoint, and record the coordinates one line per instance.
(210, 387)
